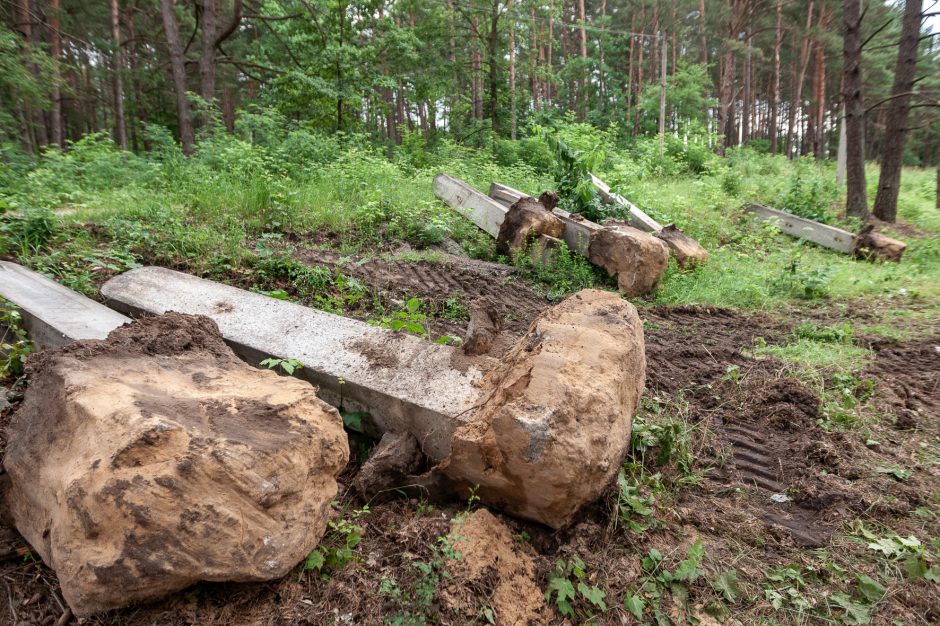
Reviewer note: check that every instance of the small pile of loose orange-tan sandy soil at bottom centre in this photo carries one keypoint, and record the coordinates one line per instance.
(488, 552)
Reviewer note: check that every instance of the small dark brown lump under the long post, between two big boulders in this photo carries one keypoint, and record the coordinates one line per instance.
(394, 459)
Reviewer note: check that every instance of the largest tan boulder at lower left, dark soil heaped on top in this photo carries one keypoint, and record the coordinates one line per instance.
(154, 459)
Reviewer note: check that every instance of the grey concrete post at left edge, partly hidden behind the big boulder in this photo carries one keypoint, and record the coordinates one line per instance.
(54, 315)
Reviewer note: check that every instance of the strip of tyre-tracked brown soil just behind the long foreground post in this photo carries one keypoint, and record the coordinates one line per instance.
(466, 279)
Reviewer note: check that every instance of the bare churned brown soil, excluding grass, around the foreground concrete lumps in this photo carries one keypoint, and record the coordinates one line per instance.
(756, 433)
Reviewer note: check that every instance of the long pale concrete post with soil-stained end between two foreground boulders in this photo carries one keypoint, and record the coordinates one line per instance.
(408, 384)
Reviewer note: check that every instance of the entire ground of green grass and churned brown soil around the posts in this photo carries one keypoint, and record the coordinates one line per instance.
(785, 462)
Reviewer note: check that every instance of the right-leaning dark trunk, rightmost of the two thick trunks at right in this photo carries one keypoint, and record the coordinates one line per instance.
(892, 156)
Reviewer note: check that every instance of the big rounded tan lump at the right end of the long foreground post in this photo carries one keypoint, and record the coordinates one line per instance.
(555, 419)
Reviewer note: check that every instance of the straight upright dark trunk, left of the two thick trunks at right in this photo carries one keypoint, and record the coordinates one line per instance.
(856, 203)
